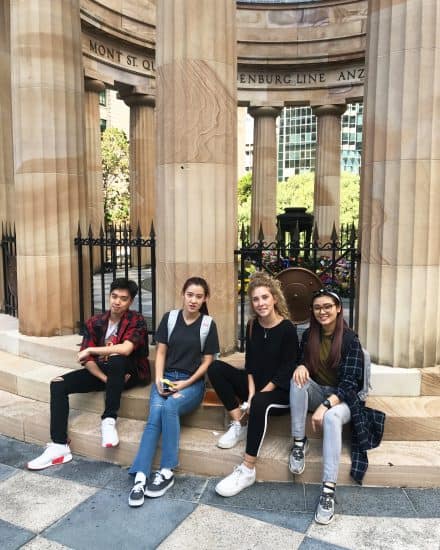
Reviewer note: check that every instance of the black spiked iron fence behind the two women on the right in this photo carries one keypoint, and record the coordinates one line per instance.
(335, 263)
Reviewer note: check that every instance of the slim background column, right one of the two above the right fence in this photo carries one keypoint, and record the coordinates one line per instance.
(328, 169)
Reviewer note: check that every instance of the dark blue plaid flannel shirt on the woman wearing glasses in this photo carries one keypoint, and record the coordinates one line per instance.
(367, 424)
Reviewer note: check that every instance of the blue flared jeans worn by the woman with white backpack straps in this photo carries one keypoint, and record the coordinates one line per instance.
(164, 419)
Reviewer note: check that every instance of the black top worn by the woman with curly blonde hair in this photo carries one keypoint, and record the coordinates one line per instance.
(271, 354)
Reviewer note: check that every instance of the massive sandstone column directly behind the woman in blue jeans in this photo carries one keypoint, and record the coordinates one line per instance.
(197, 174)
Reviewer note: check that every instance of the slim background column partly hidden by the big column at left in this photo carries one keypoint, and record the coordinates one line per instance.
(95, 196)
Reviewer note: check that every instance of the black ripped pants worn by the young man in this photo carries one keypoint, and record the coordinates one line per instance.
(82, 381)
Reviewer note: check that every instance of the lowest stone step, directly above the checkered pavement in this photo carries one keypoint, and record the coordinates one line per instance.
(394, 463)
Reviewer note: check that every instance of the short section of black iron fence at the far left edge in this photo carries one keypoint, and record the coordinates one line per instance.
(9, 264)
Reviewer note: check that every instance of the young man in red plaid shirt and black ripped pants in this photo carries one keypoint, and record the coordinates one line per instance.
(114, 356)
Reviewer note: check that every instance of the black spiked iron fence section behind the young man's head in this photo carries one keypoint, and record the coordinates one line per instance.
(116, 252)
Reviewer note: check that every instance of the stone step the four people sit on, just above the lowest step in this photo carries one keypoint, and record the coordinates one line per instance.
(408, 418)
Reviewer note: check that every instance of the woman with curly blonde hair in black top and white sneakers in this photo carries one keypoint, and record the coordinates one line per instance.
(271, 350)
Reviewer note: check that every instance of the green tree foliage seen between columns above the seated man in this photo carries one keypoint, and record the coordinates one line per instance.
(115, 175)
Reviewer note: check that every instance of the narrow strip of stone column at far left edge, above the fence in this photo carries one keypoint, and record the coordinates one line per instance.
(7, 202)
